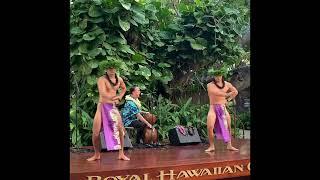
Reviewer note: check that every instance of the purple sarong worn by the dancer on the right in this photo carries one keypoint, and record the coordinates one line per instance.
(221, 124)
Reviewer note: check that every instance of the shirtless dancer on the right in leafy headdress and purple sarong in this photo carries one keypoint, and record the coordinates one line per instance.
(219, 91)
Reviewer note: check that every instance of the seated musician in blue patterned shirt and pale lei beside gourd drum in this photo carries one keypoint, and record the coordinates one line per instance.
(131, 113)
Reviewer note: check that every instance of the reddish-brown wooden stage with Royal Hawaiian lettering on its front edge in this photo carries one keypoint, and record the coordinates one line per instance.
(168, 162)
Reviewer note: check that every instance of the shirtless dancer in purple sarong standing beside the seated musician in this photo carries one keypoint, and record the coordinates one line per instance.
(108, 115)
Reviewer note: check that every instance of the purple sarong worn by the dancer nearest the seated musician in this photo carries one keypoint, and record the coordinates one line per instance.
(109, 116)
